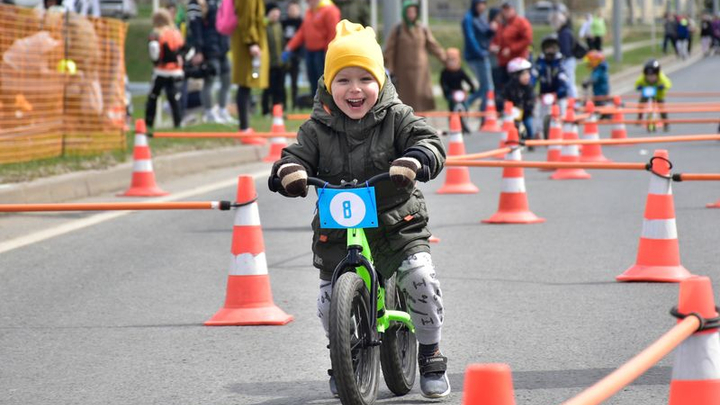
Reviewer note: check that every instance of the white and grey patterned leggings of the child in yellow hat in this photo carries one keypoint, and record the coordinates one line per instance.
(416, 279)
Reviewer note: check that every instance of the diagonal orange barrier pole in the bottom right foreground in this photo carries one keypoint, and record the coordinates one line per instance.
(639, 364)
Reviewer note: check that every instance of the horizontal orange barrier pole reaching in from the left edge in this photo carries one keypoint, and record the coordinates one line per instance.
(140, 206)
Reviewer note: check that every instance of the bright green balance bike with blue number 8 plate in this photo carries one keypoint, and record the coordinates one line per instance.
(369, 323)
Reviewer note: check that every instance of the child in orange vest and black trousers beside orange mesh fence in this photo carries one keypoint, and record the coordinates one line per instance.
(165, 48)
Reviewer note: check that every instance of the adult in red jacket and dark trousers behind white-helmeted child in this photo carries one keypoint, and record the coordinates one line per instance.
(512, 40)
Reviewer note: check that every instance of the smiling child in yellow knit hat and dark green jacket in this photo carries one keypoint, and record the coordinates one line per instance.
(359, 128)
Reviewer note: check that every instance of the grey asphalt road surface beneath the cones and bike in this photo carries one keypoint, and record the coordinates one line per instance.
(112, 313)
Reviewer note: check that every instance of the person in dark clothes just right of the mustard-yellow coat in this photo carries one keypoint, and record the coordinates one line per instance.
(275, 93)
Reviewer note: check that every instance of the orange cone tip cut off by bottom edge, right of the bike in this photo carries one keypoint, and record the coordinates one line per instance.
(488, 384)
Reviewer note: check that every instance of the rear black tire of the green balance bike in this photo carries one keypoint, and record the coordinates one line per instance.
(398, 353)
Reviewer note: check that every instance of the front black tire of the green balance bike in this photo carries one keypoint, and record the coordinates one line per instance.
(350, 289)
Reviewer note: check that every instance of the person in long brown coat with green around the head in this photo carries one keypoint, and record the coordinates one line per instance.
(406, 58)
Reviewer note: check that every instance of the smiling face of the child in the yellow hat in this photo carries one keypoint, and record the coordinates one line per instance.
(355, 91)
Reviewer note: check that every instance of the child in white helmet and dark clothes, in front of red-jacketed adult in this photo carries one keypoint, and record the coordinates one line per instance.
(520, 91)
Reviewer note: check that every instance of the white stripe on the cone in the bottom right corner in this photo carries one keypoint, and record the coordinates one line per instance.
(698, 358)
